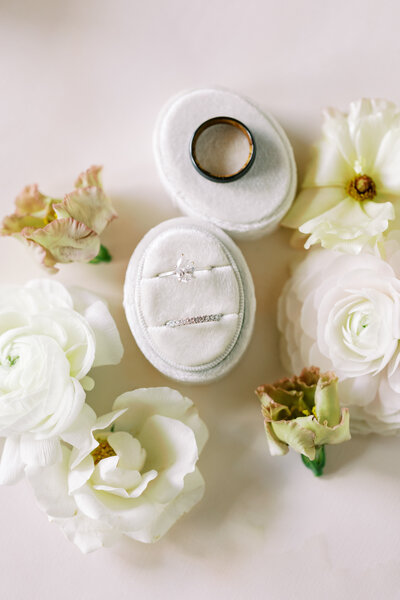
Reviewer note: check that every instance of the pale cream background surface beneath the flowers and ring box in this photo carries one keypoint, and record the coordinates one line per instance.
(82, 83)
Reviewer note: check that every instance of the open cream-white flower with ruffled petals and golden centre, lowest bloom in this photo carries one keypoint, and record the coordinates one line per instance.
(132, 472)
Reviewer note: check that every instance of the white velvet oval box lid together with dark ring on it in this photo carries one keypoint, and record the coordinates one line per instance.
(255, 195)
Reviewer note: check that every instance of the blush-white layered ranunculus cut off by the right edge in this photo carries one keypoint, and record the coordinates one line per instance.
(342, 312)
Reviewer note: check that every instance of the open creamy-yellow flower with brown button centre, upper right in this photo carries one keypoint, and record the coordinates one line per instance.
(352, 188)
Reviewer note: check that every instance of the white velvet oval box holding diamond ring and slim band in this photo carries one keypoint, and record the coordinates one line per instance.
(189, 300)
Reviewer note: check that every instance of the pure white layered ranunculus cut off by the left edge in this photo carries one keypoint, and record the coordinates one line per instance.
(50, 338)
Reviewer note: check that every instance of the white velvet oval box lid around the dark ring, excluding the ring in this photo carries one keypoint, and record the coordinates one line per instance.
(249, 207)
